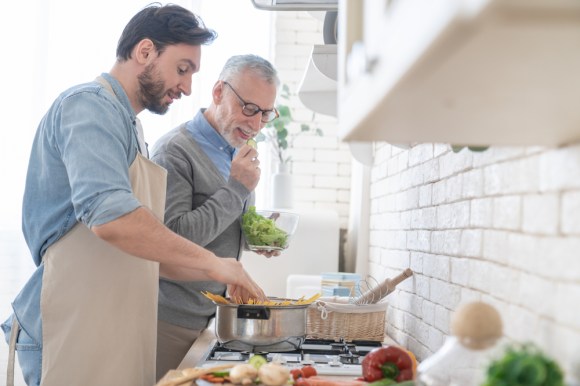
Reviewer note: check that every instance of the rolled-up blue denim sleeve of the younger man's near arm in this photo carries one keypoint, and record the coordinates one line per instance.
(97, 145)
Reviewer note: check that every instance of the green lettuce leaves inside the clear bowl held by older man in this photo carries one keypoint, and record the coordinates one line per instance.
(262, 231)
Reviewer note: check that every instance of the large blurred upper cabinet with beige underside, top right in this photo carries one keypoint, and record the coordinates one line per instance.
(476, 72)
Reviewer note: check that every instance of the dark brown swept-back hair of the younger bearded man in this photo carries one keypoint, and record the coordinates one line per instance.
(165, 25)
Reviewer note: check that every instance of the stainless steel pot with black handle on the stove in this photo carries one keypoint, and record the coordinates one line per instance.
(261, 328)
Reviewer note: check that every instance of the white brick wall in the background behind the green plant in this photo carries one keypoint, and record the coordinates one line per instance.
(321, 166)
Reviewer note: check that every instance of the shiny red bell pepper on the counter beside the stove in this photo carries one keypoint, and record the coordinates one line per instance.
(387, 362)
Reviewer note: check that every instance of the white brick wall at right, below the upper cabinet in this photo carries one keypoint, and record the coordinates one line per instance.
(501, 226)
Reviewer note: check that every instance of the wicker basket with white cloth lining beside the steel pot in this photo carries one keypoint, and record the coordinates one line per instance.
(329, 320)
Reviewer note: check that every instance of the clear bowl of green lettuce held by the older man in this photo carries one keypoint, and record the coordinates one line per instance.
(268, 230)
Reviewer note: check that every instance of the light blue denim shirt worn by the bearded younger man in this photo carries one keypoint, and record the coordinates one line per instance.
(78, 172)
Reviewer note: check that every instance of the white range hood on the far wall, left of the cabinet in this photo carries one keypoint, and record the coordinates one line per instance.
(317, 91)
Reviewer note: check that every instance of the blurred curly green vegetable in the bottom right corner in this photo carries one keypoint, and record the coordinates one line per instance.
(524, 365)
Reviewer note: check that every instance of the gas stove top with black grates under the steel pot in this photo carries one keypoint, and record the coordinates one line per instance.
(329, 357)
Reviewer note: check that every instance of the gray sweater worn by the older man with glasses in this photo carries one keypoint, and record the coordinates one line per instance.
(204, 208)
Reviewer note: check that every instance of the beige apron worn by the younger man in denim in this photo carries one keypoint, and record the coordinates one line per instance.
(99, 304)
